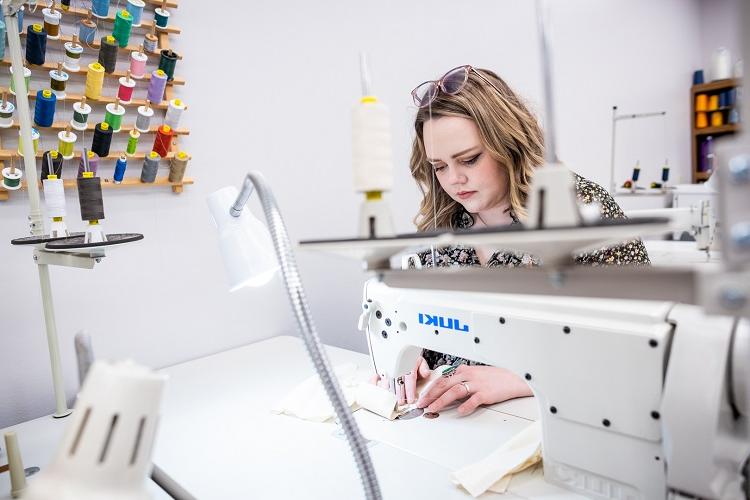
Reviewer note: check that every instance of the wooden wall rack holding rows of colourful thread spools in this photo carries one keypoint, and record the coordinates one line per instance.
(75, 89)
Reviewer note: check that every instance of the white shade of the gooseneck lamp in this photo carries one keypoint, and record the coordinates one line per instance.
(245, 244)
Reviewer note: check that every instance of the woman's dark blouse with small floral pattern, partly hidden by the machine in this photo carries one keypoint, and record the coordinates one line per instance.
(630, 252)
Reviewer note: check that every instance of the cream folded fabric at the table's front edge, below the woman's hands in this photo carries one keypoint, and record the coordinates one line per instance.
(496, 470)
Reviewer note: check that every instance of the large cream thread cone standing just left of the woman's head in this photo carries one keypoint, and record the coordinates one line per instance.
(371, 147)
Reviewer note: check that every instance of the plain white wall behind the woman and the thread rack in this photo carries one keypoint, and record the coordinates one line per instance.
(286, 76)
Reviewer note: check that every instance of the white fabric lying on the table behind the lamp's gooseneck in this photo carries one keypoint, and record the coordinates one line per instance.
(309, 400)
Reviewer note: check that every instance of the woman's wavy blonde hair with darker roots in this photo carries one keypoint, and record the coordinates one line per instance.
(509, 133)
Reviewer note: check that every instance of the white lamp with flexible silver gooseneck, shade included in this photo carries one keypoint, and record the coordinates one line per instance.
(232, 219)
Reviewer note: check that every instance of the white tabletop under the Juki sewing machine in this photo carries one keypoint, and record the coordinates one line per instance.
(219, 439)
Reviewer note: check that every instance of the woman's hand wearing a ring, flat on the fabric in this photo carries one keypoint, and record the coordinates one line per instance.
(480, 384)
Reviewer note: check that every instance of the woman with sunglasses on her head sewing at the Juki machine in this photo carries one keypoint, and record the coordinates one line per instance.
(473, 157)
